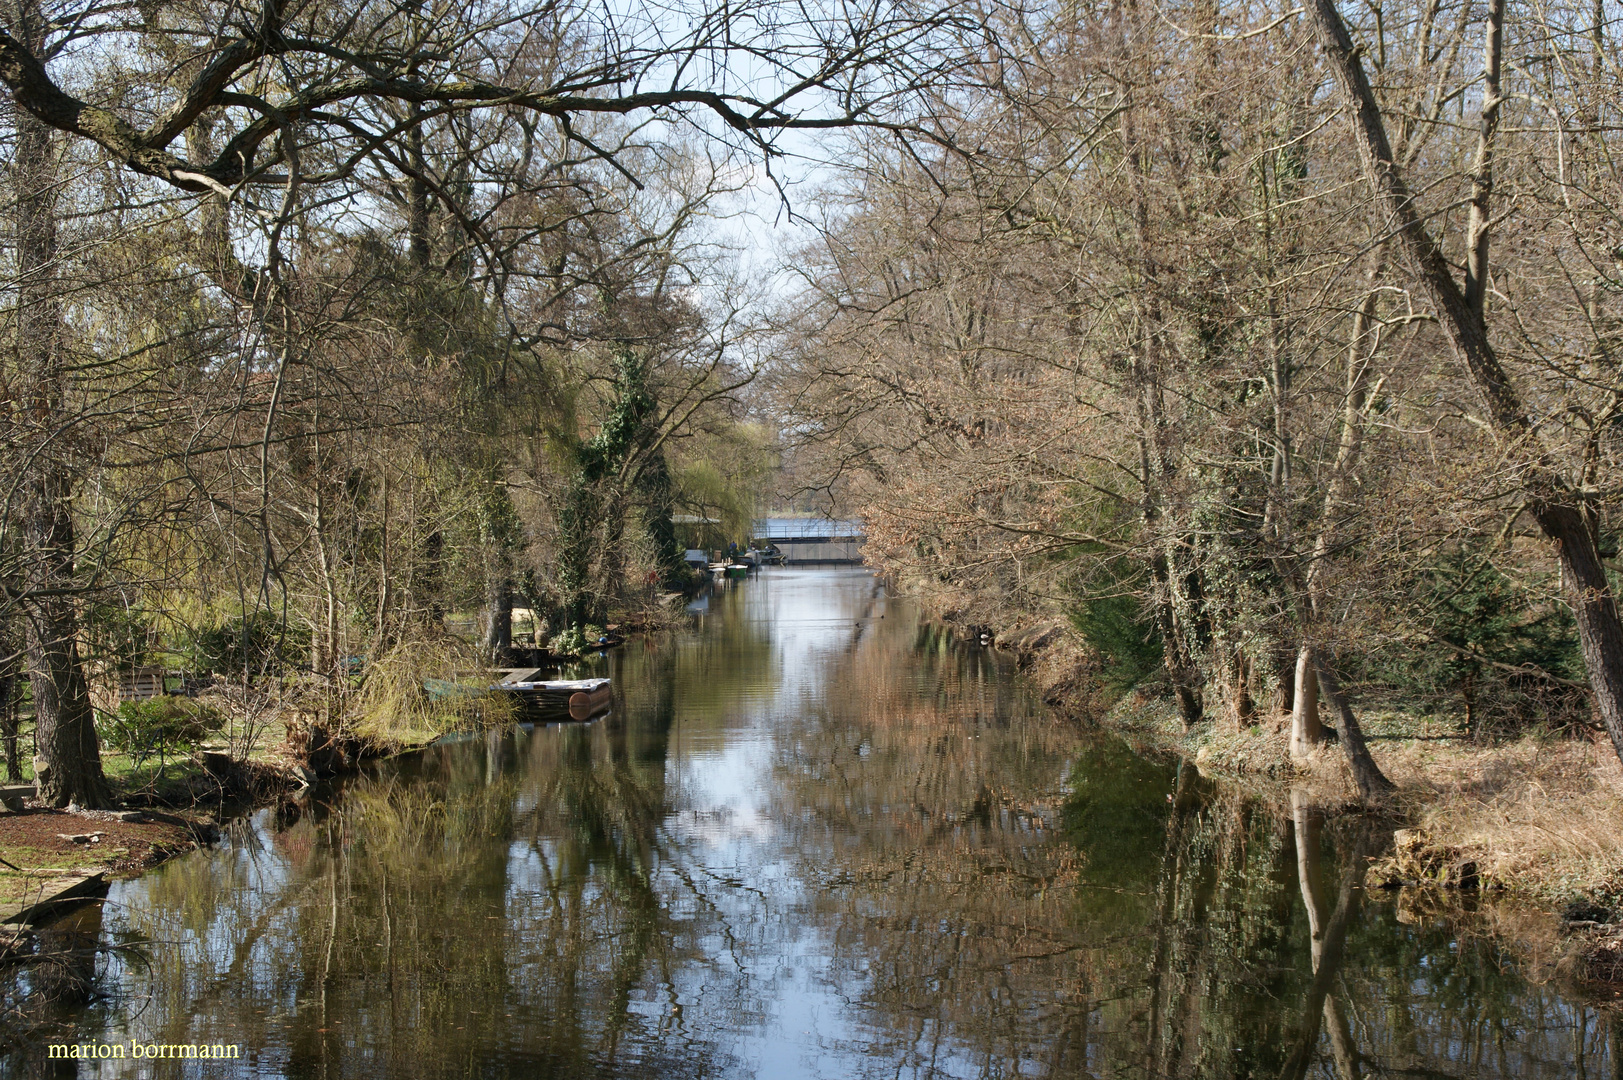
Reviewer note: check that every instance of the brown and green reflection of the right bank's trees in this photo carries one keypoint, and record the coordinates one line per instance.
(1179, 930)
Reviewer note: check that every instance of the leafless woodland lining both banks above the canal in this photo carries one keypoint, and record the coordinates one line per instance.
(1275, 350)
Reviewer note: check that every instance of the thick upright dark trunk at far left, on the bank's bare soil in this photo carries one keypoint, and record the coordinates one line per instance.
(64, 724)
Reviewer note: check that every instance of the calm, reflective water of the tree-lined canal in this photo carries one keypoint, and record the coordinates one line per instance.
(816, 839)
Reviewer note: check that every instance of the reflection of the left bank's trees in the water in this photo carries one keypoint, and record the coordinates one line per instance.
(497, 907)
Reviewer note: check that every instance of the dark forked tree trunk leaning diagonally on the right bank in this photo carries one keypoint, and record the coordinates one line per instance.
(1557, 509)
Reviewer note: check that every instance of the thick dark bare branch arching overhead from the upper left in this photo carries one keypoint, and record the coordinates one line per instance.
(342, 71)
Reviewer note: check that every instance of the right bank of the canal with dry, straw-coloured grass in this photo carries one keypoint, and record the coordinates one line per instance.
(1536, 819)
